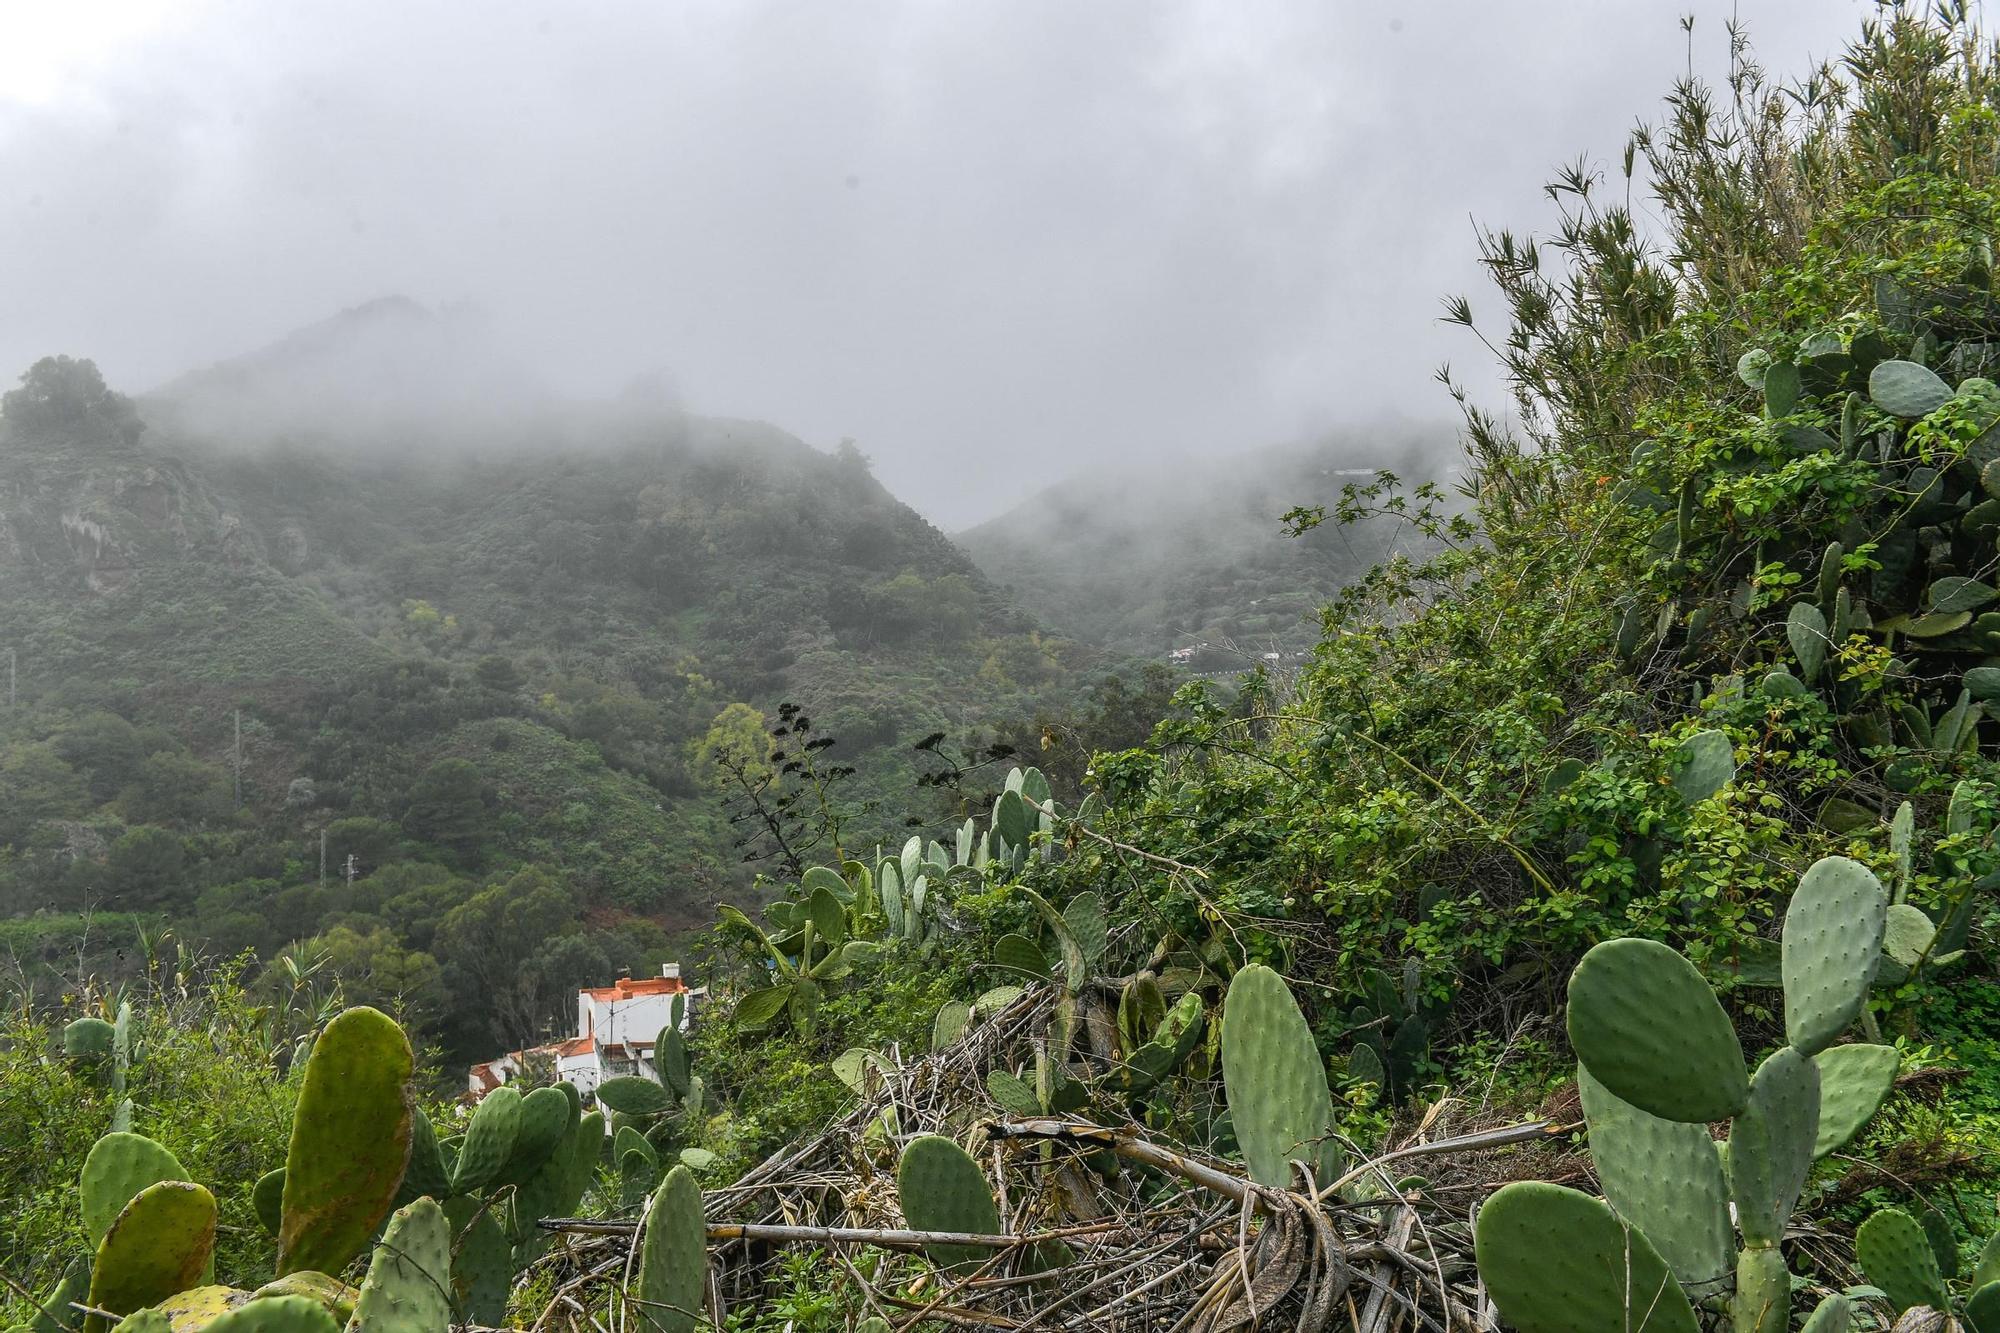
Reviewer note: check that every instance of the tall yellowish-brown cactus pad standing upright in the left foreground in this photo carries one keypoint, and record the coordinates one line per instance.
(351, 1142)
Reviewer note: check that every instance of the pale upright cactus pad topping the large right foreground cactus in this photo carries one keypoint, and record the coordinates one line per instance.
(1833, 946)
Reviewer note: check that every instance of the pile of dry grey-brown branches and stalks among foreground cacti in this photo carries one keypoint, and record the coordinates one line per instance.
(1103, 1228)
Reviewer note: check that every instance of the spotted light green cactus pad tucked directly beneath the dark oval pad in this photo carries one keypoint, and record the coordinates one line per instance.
(1665, 1180)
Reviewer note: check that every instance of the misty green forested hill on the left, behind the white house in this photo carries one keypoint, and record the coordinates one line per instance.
(481, 670)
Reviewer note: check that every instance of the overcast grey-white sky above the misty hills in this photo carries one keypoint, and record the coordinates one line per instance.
(993, 241)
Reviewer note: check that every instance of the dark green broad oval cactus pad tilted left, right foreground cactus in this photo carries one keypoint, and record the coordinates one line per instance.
(1653, 1034)
